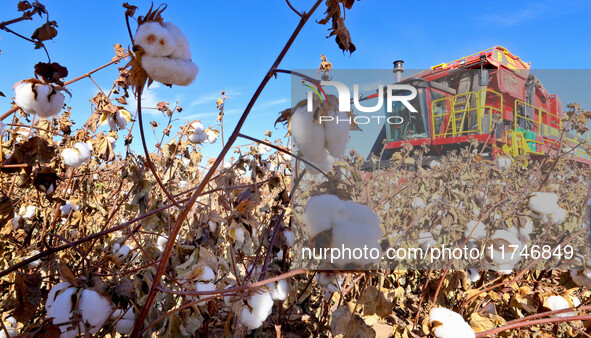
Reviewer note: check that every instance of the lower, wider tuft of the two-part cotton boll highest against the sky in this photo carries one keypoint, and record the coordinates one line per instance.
(170, 71)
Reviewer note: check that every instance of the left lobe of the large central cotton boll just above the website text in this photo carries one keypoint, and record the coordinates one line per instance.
(321, 212)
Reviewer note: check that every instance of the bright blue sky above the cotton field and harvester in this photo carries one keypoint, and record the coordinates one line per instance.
(235, 42)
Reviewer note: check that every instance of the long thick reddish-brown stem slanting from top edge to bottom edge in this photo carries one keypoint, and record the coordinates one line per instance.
(185, 211)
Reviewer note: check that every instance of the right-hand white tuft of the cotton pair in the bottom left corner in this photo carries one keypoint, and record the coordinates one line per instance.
(95, 309)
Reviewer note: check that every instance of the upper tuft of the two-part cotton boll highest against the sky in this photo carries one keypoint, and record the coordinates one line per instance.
(155, 39)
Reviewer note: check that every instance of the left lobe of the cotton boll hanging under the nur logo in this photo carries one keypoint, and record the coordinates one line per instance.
(307, 135)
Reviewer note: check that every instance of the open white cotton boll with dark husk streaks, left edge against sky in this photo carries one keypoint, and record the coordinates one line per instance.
(36, 97)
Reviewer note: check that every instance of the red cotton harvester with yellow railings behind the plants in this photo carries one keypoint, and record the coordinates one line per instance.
(490, 97)
